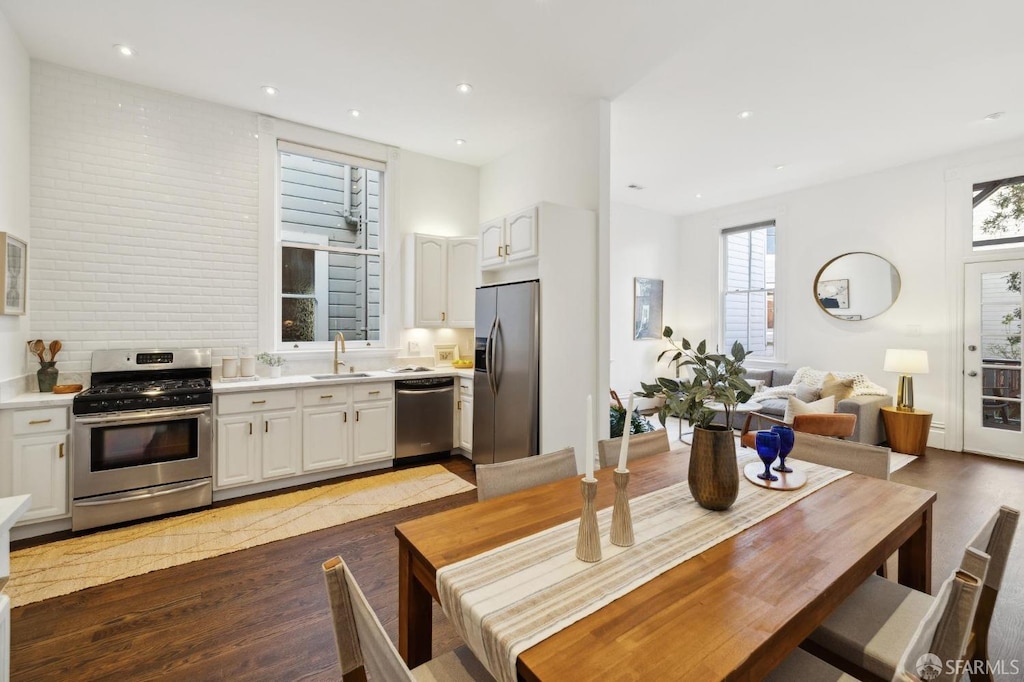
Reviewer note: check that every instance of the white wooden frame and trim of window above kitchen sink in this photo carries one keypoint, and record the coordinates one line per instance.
(295, 138)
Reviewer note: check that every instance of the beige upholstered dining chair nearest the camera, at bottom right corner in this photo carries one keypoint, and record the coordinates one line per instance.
(943, 631)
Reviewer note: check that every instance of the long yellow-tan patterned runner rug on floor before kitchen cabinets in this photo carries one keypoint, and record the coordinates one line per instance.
(69, 566)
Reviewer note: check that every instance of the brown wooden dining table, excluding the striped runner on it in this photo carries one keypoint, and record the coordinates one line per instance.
(732, 613)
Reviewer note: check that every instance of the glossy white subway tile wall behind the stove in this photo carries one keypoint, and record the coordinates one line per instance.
(144, 219)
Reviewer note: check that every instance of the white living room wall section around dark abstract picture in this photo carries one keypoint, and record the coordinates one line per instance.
(645, 244)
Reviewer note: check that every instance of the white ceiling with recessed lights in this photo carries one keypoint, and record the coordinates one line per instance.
(835, 91)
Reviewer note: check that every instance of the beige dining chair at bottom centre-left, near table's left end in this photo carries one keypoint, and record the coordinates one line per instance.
(363, 644)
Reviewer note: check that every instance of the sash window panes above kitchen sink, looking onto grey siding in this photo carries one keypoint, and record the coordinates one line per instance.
(331, 239)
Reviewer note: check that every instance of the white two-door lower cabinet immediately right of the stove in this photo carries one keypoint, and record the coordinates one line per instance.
(260, 443)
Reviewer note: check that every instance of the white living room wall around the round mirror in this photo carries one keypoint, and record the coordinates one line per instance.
(900, 215)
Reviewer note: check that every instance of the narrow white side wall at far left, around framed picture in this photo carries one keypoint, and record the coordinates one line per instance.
(15, 186)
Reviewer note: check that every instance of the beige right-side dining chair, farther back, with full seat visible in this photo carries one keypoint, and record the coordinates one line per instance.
(871, 629)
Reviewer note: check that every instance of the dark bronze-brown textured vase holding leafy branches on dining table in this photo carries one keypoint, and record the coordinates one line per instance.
(714, 476)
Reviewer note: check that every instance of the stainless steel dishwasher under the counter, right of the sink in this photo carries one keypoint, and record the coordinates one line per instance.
(424, 413)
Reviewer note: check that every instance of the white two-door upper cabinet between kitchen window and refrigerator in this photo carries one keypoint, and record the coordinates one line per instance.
(440, 281)
